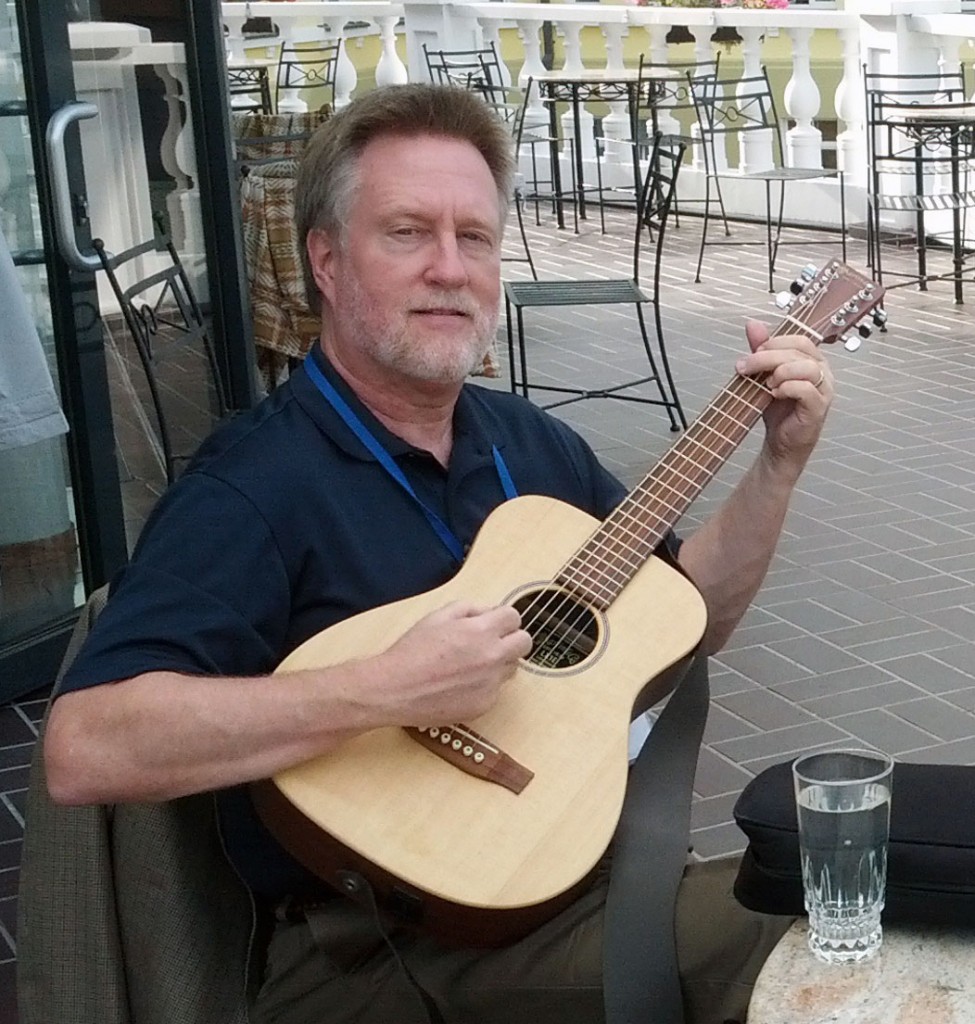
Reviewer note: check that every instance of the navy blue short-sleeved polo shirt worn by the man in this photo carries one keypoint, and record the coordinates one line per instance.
(284, 524)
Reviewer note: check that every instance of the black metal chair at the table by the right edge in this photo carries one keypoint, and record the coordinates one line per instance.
(921, 155)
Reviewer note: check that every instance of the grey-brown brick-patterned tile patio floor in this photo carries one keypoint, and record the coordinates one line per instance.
(865, 630)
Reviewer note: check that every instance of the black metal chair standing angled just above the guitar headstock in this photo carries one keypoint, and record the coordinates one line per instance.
(743, 109)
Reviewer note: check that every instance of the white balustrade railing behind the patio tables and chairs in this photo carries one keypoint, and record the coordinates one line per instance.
(816, 56)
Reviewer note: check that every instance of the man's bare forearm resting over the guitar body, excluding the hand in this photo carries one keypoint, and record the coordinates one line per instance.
(162, 735)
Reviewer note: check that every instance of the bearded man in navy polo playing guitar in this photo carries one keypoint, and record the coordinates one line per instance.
(361, 482)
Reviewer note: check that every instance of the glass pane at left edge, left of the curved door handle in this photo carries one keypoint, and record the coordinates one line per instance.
(39, 566)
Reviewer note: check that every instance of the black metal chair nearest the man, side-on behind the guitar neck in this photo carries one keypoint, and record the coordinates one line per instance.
(654, 209)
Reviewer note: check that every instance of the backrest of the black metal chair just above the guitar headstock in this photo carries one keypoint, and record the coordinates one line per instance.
(733, 109)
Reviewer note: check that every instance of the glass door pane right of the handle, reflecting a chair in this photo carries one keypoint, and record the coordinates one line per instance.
(142, 184)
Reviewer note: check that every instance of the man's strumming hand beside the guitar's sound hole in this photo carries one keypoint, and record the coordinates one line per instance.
(452, 664)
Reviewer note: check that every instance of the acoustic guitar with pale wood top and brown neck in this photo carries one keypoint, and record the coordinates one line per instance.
(485, 830)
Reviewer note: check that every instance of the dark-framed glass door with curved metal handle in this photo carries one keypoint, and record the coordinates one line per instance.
(98, 140)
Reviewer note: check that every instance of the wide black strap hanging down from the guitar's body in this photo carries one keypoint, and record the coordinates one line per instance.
(642, 985)
